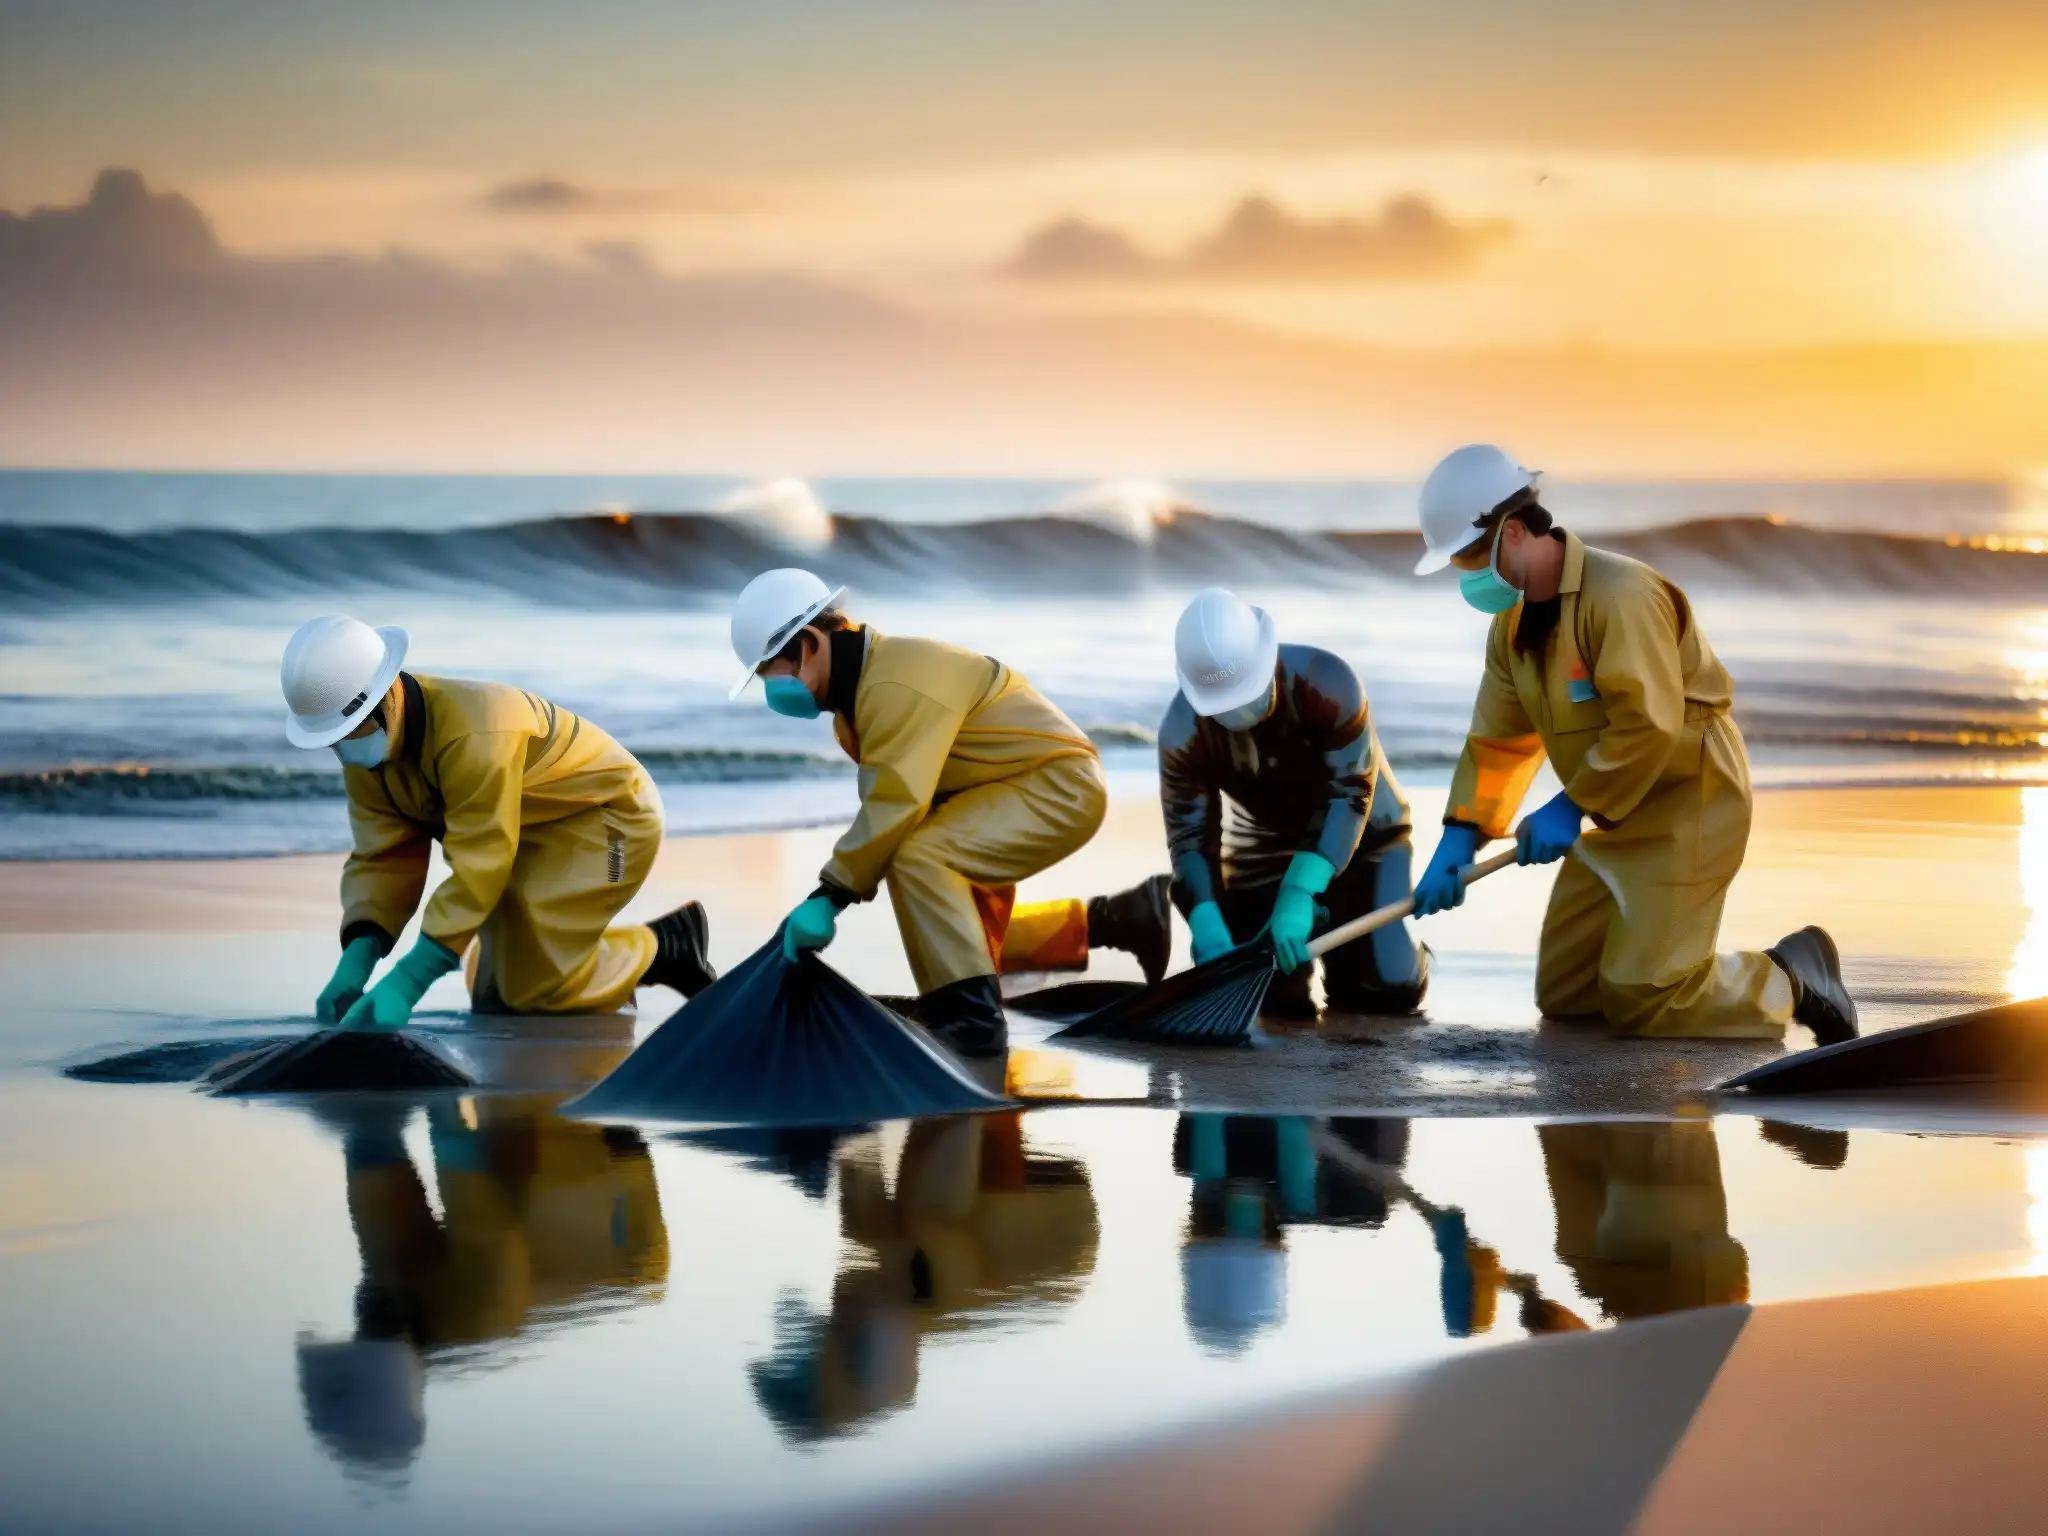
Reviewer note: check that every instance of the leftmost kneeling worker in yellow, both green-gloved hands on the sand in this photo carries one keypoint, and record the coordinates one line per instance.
(548, 826)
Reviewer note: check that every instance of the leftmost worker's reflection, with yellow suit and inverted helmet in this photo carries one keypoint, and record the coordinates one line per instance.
(544, 1222)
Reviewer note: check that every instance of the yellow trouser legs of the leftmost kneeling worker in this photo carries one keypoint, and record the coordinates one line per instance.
(548, 947)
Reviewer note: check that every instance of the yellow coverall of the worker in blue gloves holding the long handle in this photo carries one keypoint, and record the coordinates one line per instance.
(1631, 708)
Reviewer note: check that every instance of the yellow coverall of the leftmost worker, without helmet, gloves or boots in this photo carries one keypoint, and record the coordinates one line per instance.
(548, 824)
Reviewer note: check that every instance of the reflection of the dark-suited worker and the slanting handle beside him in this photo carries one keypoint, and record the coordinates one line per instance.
(1254, 1177)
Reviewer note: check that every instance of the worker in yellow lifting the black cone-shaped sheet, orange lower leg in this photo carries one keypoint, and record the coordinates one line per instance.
(970, 783)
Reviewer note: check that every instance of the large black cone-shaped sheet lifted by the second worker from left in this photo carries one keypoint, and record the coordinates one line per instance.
(777, 1043)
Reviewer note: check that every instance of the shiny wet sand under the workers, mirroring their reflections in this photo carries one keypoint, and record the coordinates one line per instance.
(466, 1312)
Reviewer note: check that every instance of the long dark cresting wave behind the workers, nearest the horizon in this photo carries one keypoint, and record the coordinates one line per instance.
(626, 560)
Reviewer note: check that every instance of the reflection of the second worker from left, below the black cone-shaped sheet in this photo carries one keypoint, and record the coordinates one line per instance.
(982, 1230)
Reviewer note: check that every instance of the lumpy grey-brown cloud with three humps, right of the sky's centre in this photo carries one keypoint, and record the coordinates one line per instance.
(1263, 243)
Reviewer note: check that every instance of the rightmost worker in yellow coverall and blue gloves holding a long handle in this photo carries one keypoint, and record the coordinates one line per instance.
(1598, 665)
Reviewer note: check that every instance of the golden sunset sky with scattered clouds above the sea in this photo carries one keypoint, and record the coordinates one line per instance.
(1775, 200)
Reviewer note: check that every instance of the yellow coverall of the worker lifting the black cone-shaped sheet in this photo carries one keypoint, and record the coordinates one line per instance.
(970, 783)
